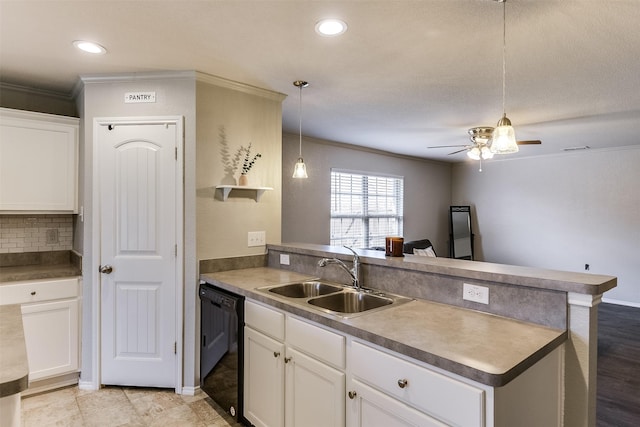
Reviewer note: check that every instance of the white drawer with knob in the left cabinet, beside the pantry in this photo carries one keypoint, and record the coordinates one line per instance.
(35, 291)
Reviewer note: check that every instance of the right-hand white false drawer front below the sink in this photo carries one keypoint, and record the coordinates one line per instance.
(318, 342)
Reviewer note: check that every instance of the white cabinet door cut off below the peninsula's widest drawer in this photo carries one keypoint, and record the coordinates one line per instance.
(370, 408)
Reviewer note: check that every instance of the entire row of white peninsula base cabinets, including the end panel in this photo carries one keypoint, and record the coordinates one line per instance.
(298, 374)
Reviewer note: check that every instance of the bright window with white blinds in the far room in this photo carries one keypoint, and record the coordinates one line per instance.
(365, 208)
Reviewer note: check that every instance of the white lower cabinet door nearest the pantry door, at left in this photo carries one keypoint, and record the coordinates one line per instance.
(51, 336)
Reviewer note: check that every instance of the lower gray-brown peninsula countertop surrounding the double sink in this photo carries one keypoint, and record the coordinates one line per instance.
(486, 348)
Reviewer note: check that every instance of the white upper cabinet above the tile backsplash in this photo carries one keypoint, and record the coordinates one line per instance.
(38, 162)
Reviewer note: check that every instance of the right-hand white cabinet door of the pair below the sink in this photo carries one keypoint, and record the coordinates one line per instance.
(314, 392)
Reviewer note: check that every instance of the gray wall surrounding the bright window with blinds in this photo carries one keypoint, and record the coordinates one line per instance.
(306, 202)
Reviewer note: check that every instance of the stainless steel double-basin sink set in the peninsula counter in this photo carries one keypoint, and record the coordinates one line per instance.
(342, 300)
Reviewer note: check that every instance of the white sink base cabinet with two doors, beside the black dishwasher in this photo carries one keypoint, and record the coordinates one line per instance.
(286, 383)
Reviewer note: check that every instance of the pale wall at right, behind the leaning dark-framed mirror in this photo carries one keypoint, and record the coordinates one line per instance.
(559, 212)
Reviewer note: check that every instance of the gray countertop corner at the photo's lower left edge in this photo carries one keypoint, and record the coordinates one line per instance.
(14, 370)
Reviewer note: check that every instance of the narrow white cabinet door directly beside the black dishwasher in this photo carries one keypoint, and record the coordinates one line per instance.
(263, 379)
